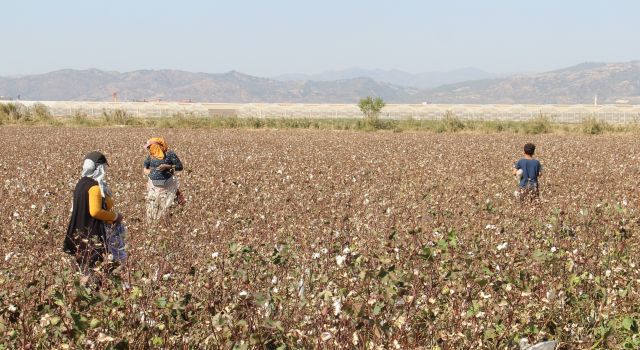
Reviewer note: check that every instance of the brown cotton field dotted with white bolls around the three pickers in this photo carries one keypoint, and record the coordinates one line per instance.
(328, 240)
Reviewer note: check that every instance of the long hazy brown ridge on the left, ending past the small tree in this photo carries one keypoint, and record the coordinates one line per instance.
(97, 85)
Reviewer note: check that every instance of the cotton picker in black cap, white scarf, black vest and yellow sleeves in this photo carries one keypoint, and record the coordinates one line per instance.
(94, 228)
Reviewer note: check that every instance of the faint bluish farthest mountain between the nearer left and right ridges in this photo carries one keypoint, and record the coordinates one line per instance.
(396, 77)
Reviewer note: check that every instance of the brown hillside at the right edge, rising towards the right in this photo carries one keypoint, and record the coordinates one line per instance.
(611, 82)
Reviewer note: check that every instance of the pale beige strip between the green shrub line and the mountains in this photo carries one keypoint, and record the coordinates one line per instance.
(618, 114)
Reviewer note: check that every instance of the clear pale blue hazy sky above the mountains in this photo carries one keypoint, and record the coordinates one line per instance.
(267, 38)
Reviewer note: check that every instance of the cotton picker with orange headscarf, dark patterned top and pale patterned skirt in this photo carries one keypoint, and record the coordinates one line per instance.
(162, 188)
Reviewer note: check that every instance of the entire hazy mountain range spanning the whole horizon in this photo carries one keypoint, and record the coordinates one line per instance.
(611, 82)
